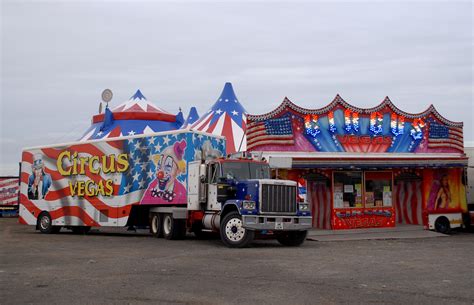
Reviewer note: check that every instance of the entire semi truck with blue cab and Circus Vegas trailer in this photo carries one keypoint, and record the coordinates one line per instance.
(172, 182)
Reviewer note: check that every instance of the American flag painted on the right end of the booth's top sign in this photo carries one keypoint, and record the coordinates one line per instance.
(442, 136)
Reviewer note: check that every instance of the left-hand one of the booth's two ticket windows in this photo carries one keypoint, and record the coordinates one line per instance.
(347, 190)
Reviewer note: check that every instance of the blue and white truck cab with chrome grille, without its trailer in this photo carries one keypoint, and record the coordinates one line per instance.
(241, 201)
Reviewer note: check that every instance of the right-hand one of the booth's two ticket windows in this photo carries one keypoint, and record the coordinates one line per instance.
(378, 189)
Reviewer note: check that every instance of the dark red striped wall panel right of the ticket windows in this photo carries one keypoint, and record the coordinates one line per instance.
(408, 201)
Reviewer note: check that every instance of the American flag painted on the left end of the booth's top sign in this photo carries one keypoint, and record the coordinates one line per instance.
(272, 131)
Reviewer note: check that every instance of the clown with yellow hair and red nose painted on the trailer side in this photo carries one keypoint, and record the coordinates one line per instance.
(166, 188)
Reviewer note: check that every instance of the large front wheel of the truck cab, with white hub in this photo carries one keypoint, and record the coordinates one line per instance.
(233, 234)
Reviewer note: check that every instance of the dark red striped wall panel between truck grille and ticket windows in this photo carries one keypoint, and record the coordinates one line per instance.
(319, 195)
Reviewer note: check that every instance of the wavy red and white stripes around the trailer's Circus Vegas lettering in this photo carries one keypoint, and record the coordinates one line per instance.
(89, 211)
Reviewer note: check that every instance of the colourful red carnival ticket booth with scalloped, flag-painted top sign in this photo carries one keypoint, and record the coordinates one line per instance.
(360, 168)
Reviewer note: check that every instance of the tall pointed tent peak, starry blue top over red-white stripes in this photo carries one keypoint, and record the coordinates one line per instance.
(227, 117)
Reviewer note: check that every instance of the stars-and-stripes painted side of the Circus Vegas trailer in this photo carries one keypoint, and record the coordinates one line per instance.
(46, 187)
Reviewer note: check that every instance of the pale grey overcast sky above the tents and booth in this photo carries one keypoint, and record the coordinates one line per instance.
(58, 56)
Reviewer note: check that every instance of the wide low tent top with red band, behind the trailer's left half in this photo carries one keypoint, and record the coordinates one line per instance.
(132, 117)
